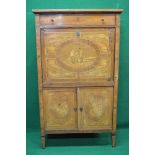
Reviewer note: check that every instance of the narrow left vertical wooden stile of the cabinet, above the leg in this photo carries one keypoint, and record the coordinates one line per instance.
(38, 45)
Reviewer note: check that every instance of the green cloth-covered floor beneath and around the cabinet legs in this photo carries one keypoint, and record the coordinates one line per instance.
(78, 144)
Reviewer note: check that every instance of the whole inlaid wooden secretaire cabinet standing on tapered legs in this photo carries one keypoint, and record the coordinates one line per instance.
(78, 61)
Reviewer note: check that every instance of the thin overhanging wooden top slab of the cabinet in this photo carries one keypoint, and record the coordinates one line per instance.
(43, 11)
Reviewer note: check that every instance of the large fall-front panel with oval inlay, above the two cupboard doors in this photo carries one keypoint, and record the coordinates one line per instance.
(78, 55)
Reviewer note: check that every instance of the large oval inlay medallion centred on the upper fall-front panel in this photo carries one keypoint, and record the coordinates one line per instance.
(77, 55)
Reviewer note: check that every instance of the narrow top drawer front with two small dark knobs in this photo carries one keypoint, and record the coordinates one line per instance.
(77, 20)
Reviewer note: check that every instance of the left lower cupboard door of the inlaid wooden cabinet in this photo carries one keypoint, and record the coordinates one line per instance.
(60, 109)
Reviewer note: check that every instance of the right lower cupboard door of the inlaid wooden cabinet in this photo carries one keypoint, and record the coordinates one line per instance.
(95, 108)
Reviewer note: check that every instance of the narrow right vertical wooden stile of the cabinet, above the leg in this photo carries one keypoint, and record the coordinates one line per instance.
(116, 71)
